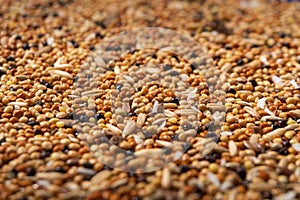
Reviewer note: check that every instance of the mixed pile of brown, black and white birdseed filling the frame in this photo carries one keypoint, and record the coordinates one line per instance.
(44, 45)
